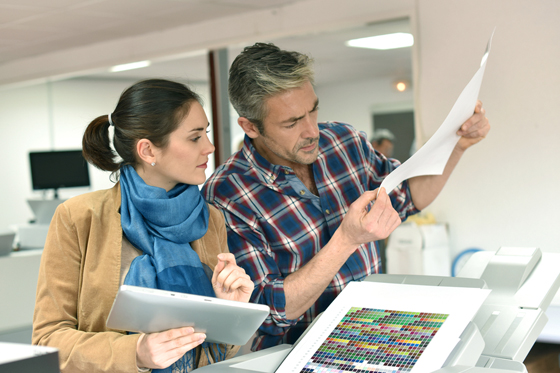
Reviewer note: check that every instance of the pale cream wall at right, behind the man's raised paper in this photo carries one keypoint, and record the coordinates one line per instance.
(505, 190)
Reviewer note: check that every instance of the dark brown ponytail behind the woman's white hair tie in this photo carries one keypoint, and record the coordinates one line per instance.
(96, 146)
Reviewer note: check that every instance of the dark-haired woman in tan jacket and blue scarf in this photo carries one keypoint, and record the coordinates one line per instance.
(152, 229)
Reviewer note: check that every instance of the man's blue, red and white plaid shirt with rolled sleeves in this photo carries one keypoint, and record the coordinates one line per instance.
(275, 225)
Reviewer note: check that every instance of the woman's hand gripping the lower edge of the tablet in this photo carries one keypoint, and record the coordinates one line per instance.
(160, 350)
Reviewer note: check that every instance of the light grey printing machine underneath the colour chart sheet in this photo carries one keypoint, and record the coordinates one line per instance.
(523, 283)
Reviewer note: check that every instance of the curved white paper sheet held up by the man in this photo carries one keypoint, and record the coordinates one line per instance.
(432, 157)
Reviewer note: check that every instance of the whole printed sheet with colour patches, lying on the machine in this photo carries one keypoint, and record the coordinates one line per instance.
(377, 327)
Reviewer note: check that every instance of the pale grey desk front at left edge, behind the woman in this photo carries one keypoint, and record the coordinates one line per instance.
(19, 272)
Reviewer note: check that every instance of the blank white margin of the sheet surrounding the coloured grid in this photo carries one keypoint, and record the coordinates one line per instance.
(460, 304)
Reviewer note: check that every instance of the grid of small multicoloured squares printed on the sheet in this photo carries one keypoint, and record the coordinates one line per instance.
(376, 341)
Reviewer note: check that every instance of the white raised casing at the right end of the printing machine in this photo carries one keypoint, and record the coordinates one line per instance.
(523, 282)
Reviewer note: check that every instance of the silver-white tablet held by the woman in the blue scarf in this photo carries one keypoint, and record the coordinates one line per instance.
(146, 310)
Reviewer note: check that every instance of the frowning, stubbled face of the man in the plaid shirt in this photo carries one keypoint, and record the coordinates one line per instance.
(291, 133)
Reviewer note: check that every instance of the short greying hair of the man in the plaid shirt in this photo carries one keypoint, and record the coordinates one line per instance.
(263, 70)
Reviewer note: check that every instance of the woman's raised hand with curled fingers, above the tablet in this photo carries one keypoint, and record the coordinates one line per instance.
(230, 281)
